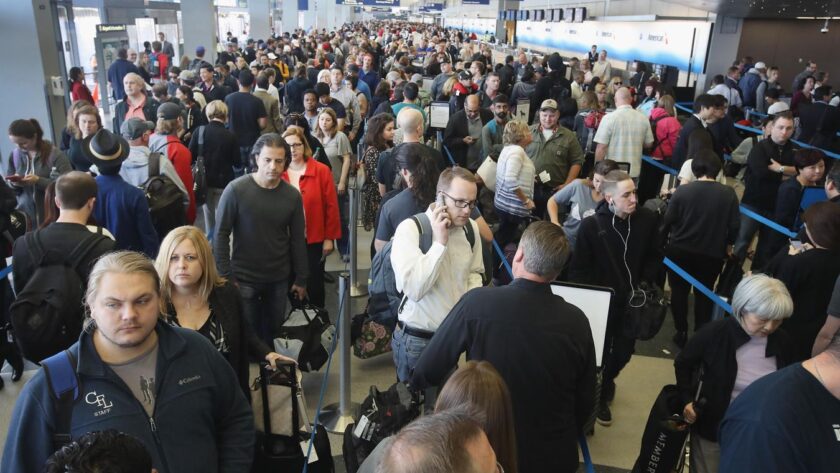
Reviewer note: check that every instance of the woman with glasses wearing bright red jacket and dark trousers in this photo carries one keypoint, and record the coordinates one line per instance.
(320, 208)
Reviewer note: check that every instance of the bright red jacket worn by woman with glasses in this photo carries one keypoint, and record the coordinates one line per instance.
(320, 202)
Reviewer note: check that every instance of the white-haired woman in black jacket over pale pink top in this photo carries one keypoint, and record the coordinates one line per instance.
(728, 355)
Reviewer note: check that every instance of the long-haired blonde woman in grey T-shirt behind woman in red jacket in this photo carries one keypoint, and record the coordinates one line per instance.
(338, 150)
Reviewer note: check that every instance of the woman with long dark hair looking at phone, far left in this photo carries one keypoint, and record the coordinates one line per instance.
(32, 166)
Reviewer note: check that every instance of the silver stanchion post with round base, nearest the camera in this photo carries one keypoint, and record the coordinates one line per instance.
(336, 417)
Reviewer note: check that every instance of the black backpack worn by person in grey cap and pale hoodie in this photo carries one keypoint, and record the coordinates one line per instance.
(165, 198)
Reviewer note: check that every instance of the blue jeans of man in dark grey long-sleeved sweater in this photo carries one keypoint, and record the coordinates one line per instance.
(264, 306)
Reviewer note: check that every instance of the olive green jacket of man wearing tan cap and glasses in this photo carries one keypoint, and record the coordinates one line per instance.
(556, 155)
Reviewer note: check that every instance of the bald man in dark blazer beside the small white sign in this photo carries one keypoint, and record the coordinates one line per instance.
(463, 133)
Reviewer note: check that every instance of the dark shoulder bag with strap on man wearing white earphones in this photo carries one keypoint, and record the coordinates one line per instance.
(645, 312)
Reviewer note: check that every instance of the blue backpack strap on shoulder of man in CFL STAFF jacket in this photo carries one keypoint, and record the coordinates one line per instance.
(63, 381)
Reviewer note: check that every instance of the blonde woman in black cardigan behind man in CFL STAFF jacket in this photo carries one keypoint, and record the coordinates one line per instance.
(197, 298)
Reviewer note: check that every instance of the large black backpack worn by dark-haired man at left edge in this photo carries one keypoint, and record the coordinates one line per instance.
(47, 315)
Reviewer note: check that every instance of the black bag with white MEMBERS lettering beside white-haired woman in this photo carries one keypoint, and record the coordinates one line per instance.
(664, 439)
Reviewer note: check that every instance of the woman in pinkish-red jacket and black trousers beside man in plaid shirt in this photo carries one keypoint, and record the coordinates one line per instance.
(666, 130)
